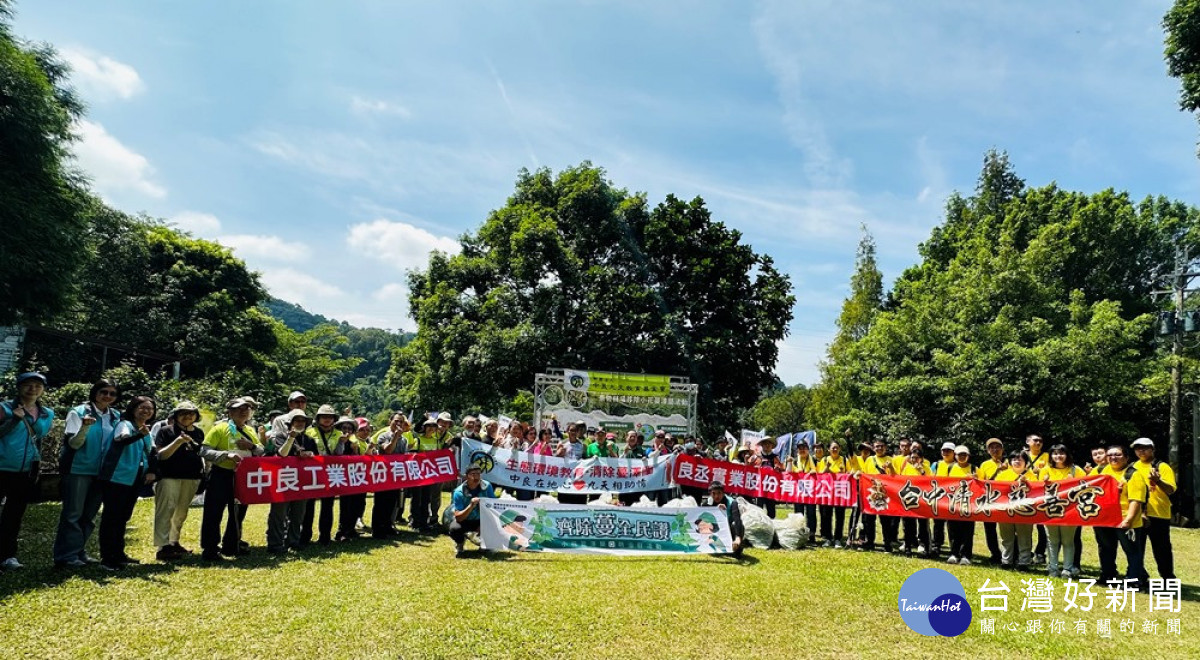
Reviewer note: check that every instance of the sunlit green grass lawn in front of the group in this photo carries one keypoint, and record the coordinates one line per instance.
(412, 599)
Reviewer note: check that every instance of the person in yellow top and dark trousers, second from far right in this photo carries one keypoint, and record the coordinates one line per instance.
(1135, 495)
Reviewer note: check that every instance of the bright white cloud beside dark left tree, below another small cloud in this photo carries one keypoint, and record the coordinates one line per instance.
(113, 167)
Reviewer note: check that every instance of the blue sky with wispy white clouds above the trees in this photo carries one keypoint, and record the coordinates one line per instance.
(334, 146)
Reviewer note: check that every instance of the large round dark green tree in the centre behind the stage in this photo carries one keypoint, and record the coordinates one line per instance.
(574, 272)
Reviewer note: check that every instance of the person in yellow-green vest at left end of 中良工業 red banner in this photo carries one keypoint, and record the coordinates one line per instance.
(226, 445)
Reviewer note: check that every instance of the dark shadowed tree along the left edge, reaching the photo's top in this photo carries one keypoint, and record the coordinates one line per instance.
(41, 217)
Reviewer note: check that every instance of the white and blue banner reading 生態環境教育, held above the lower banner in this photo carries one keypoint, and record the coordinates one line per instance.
(535, 472)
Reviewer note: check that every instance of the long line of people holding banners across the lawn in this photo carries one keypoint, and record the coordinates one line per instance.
(111, 454)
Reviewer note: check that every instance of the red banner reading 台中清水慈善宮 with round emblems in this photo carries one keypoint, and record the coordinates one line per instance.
(1095, 501)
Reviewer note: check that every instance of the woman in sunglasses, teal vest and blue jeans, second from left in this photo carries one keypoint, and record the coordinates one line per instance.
(86, 441)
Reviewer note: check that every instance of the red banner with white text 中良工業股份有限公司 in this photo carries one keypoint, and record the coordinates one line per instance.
(274, 479)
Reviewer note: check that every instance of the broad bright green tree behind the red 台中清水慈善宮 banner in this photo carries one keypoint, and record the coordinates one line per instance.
(1031, 311)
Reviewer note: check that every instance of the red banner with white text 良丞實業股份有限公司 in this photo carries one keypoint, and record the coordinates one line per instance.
(771, 484)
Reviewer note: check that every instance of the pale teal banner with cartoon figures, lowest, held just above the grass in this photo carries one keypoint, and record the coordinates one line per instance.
(537, 527)
